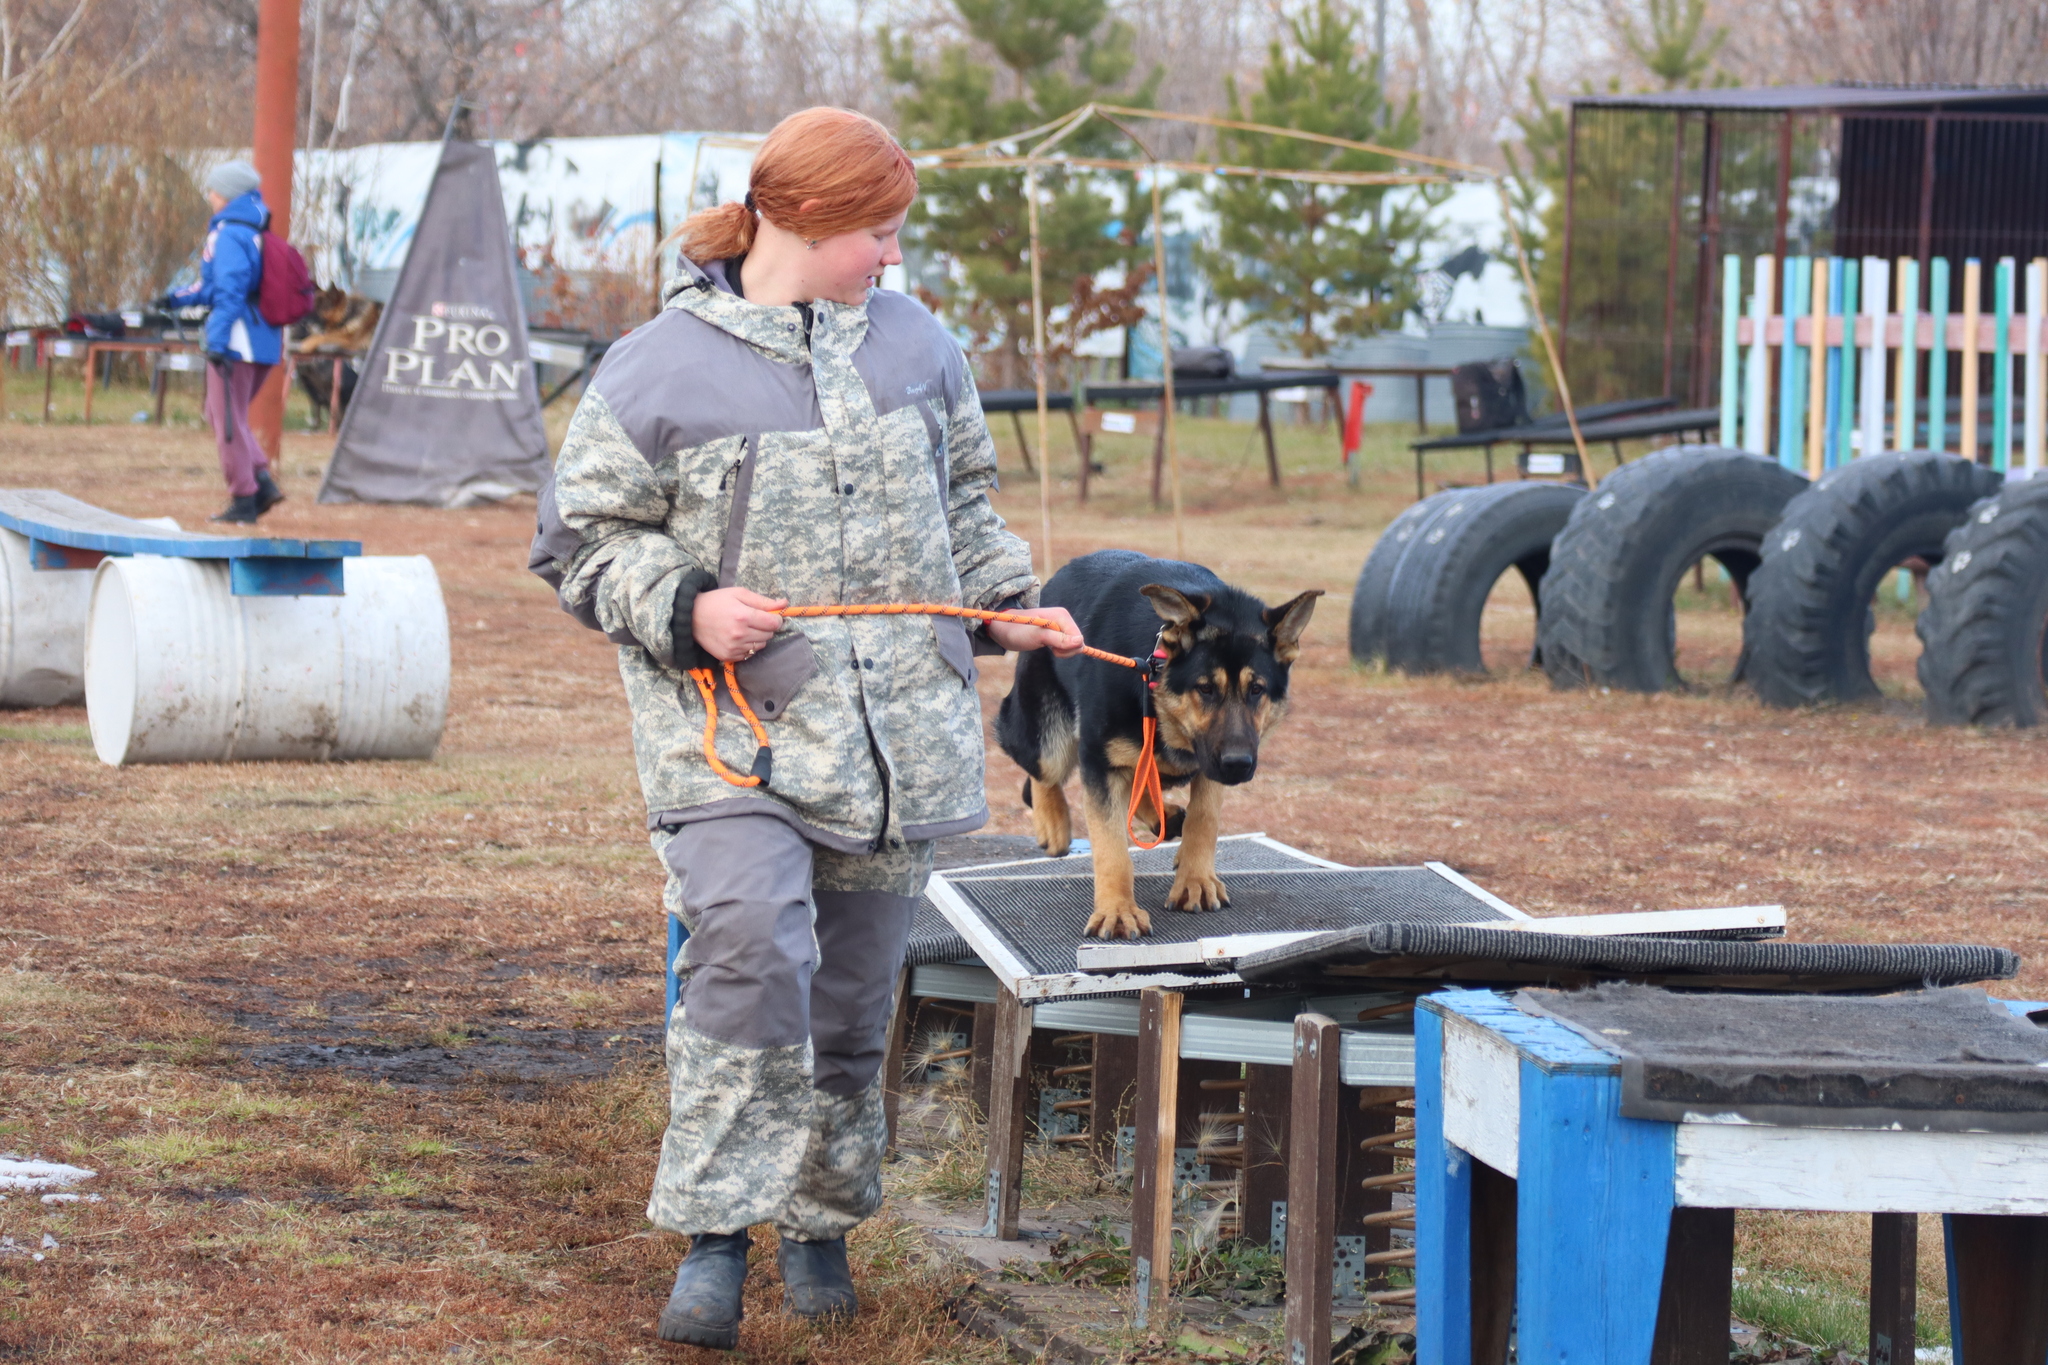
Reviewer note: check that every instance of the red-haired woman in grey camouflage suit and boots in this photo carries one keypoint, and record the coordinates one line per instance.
(785, 433)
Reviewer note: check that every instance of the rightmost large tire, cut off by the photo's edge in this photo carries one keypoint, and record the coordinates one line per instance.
(1988, 615)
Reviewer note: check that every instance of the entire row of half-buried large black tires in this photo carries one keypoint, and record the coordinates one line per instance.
(1805, 562)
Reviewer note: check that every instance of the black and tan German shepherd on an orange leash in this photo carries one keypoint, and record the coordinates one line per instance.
(1224, 687)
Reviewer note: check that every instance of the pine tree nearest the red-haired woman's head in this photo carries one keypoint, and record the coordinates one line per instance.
(1056, 56)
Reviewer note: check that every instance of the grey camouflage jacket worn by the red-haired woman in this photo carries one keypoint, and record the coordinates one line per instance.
(822, 453)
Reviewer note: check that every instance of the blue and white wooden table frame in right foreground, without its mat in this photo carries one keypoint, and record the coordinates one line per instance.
(1609, 1241)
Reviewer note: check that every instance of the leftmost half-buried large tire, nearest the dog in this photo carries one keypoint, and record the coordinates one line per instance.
(1424, 588)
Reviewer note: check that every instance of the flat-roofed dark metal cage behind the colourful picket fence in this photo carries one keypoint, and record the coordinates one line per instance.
(1664, 187)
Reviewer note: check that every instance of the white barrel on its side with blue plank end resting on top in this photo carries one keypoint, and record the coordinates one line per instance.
(183, 672)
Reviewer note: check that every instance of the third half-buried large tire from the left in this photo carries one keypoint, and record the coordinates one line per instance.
(1807, 633)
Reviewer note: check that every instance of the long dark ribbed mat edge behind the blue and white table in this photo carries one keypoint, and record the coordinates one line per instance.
(1486, 957)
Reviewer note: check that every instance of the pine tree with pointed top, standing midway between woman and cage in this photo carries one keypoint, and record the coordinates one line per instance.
(1316, 261)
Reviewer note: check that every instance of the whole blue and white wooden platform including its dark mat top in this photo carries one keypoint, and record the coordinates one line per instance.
(1580, 1159)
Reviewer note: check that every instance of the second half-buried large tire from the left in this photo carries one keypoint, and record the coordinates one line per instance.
(1607, 605)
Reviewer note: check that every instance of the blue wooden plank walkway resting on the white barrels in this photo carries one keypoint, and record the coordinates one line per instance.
(67, 533)
